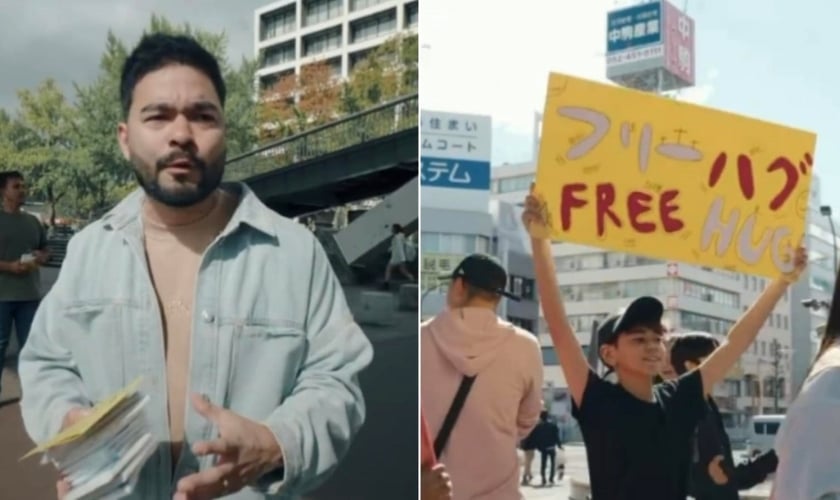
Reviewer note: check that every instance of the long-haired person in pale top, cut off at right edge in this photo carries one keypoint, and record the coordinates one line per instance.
(808, 444)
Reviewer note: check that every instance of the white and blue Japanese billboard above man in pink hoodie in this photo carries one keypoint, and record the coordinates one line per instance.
(455, 154)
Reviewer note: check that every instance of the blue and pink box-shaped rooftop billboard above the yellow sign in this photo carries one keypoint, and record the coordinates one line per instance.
(650, 46)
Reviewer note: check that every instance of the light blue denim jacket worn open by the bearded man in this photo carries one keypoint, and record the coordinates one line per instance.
(273, 340)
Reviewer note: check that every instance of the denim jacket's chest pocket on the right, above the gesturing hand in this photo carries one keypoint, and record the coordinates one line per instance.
(265, 360)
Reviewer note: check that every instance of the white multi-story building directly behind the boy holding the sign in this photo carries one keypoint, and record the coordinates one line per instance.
(597, 283)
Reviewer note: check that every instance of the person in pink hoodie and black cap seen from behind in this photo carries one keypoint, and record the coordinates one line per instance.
(495, 367)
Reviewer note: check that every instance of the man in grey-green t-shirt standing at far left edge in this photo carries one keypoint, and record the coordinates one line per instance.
(23, 243)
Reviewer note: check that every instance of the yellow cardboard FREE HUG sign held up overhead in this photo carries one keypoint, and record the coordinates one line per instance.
(630, 171)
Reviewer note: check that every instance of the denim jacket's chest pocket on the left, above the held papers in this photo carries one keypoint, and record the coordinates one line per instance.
(95, 331)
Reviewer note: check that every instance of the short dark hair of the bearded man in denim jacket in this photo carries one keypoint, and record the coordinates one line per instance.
(158, 50)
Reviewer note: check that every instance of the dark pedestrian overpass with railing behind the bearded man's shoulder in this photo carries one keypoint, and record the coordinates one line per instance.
(361, 156)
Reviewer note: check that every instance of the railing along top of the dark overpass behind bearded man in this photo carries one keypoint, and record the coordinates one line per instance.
(374, 123)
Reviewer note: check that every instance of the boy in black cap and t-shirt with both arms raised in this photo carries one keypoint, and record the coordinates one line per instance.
(637, 433)
